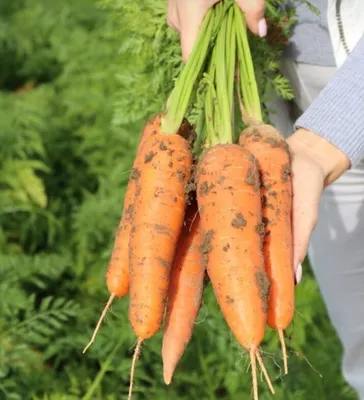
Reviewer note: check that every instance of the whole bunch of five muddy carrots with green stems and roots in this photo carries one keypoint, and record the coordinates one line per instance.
(204, 200)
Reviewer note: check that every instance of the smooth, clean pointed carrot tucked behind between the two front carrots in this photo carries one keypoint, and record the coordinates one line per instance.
(184, 294)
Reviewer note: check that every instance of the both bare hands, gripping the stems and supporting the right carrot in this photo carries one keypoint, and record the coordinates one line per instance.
(312, 171)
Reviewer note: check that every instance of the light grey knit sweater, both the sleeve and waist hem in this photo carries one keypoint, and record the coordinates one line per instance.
(337, 114)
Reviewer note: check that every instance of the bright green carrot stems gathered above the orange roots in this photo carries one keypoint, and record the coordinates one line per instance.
(221, 50)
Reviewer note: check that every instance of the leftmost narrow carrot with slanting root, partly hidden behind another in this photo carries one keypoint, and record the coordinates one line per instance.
(117, 275)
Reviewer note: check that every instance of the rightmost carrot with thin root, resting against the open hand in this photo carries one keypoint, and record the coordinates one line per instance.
(272, 154)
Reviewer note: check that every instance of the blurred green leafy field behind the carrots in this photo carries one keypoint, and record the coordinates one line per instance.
(77, 83)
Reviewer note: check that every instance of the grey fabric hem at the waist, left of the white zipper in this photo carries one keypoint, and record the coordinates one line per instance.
(311, 42)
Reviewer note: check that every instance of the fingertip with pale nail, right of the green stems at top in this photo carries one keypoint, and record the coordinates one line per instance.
(254, 15)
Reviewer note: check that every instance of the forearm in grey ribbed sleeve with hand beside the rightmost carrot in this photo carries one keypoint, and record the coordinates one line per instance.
(329, 139)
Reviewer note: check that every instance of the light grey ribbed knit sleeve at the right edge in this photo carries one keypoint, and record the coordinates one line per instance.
(337, 114)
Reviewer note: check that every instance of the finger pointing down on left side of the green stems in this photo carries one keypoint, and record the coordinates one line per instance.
(190, 17)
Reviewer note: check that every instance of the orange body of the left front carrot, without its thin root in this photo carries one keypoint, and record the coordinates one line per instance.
(158, 216)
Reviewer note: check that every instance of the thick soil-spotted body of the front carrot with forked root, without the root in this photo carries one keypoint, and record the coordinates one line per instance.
(231, 245)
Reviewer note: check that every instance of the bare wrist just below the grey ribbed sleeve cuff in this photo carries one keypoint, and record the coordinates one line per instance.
(331, 160)
